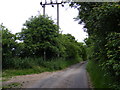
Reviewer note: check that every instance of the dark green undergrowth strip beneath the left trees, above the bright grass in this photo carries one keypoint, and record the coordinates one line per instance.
(20, 63)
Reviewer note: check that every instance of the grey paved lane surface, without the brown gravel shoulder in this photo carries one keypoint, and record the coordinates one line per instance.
(72, 77)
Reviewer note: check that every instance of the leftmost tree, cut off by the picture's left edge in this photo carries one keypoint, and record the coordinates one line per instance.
(8, 43)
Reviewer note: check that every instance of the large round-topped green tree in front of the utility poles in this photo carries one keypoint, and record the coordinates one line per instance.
(40, 37)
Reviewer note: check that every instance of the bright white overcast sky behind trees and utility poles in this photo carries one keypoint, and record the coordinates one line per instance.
(14, 13)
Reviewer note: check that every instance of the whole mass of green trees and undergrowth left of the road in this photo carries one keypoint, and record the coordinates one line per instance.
(39, 43)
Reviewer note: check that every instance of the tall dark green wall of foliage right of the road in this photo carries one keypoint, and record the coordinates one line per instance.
(102, 23)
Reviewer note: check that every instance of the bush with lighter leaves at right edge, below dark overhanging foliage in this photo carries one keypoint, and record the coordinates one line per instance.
(113, 54)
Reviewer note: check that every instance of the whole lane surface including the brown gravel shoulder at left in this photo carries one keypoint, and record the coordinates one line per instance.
(74, 76)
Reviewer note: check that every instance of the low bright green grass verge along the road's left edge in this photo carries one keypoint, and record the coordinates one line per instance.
(45, 66)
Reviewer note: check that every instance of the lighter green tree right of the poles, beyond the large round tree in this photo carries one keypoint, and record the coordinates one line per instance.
(72, 48)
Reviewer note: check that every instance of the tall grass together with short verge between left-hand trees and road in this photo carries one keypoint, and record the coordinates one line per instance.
(25, 66)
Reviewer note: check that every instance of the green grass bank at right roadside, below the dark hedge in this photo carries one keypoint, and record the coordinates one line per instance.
(99, 77)
